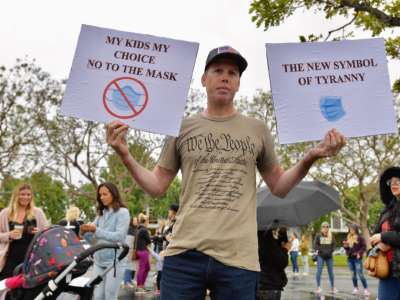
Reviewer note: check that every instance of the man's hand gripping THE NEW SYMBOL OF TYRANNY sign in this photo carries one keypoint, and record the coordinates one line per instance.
(330, 146)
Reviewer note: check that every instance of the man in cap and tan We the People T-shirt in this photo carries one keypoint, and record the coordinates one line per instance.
(214, 243)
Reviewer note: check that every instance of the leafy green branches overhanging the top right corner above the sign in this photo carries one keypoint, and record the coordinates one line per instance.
(377, 17)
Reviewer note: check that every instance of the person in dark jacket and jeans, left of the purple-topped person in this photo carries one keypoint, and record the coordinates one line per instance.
(324, 244)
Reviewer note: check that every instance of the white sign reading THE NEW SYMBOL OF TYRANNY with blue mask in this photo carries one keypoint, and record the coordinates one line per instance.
(318, 86)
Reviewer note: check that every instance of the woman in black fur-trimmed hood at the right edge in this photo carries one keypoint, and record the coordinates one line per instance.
(387, 232)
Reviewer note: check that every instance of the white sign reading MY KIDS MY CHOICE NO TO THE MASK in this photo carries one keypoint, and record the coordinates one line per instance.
(141, 80)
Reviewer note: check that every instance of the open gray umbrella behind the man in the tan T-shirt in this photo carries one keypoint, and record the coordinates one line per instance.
(306, 202)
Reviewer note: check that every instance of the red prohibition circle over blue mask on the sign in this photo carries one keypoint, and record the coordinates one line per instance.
(125, 97)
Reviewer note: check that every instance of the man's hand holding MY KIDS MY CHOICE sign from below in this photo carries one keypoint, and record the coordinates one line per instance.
(116, 132)
